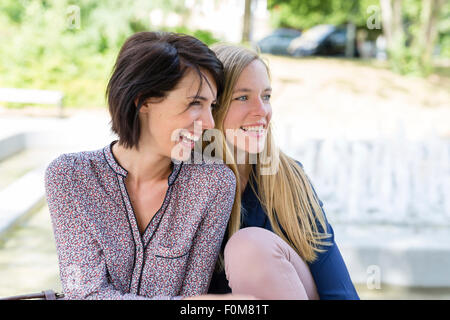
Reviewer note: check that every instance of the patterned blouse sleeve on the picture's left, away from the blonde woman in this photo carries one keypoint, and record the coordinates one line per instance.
(82, 263)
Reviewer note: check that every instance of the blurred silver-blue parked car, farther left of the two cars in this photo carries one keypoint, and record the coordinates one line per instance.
(278, 41)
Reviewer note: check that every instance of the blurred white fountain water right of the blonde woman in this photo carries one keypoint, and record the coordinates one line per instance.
(384, 180)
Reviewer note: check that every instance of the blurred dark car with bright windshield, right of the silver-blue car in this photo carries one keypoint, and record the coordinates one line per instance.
(322, 40)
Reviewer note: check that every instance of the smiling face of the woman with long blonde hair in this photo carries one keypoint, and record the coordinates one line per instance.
(250, 111)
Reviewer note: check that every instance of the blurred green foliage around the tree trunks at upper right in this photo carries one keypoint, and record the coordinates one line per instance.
(405, 56)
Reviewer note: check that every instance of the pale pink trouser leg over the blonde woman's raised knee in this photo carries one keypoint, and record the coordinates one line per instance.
(259, 263)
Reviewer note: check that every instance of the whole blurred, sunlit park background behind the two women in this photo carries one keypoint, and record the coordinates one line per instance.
(361, 97)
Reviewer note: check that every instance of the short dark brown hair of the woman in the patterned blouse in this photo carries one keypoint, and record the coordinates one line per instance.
(150, 64)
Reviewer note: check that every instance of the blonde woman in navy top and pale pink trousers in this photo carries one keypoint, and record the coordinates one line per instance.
(280, 244)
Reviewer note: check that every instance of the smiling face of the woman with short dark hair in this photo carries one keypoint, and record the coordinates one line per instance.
(172, 125)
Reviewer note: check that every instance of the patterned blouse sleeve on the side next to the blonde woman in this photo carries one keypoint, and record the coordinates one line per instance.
(209, 236)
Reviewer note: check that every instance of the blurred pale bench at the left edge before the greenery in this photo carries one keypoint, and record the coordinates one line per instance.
(33, 96)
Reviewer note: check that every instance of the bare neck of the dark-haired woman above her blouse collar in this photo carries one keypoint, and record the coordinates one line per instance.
(143, 165)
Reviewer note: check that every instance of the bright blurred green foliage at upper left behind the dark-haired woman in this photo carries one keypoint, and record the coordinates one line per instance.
(44, 45)
